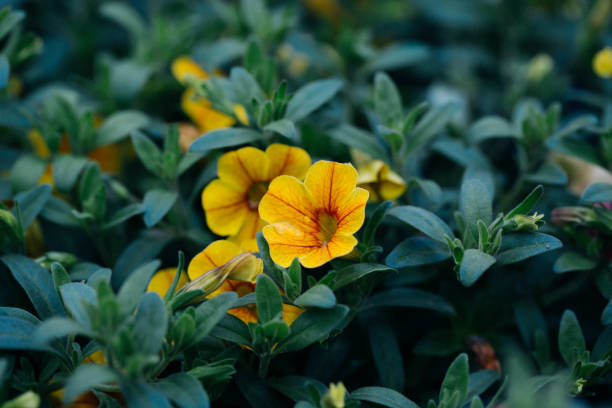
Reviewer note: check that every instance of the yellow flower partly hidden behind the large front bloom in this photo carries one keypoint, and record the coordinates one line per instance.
(231, 201)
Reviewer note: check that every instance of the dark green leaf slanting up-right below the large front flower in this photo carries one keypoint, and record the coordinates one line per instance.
(311, 326)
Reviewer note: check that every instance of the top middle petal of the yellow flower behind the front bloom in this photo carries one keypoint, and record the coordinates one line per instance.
(243, 167)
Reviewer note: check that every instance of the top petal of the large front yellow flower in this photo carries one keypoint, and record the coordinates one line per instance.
(330, 184)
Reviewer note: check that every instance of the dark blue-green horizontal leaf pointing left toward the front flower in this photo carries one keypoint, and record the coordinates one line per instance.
(417, 251)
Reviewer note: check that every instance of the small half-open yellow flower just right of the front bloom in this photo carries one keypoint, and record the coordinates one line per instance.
(381, 182)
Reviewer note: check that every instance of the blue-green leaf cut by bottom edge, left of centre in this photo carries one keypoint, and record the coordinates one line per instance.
(184, 390)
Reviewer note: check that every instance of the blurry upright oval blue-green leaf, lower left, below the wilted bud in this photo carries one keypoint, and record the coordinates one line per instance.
(150, 323)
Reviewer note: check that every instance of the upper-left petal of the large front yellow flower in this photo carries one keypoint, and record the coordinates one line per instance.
(287, 200)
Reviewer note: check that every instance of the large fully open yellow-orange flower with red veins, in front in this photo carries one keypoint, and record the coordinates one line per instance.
(313, 221)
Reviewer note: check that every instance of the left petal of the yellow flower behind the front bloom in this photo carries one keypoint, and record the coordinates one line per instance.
(225, 207)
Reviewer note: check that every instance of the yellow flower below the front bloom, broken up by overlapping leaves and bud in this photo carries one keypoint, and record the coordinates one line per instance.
(241, 280)
